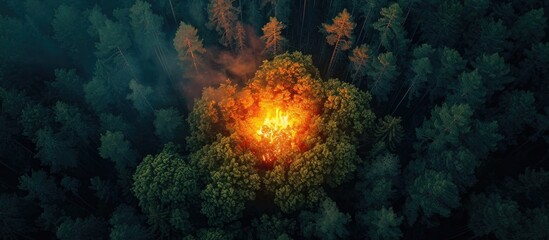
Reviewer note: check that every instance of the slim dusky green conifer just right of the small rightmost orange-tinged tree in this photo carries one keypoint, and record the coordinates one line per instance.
(382, 72)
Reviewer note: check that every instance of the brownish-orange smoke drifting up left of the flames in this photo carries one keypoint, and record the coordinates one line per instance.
(217, 66)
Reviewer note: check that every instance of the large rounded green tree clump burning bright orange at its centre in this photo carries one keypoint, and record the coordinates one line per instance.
(286, 131)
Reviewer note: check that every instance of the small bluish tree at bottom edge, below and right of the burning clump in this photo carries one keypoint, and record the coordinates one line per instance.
(382, 224)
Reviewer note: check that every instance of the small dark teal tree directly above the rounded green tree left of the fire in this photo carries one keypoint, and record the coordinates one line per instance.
(166, 122)
